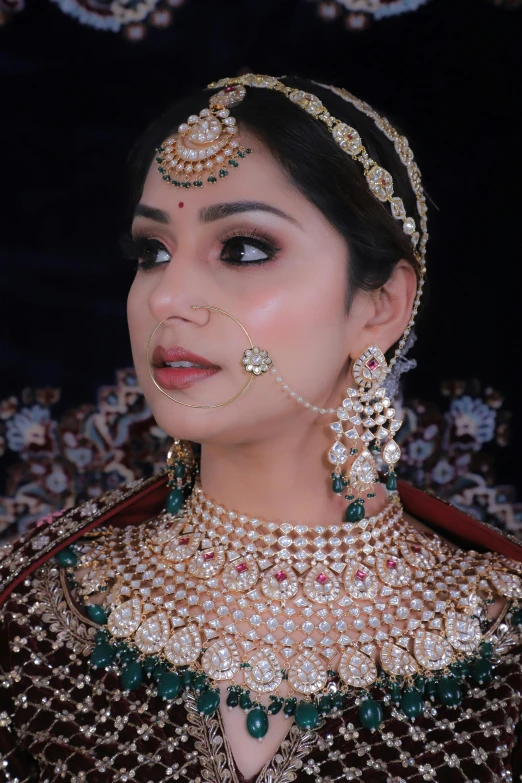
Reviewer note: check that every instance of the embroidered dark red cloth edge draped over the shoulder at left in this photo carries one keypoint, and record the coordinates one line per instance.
(129, 503)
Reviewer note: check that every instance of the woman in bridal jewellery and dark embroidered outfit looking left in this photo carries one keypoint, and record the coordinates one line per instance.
(343, 630)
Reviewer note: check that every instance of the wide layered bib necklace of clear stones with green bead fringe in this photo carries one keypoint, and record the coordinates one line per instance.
(292, 617)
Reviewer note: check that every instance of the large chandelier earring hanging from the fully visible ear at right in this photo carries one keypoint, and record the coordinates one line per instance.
(368, 408)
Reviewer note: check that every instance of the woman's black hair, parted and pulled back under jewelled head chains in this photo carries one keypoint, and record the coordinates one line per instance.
(325, 174)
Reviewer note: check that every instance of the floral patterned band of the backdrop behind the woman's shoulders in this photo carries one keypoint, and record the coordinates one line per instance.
(56, 459)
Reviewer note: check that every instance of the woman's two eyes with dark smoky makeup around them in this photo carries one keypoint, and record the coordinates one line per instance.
(239, 248)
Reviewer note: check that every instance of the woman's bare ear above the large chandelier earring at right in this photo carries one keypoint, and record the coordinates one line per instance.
(388, 310)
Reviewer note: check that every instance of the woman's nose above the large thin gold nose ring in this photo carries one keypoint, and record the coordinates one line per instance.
(181, 285)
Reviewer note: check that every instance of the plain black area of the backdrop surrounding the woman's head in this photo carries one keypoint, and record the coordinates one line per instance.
(74, 99)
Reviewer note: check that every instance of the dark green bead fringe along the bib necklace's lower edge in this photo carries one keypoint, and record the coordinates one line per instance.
(446, 687)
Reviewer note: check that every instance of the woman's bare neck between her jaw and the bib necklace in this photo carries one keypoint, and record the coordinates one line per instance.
(283, 480)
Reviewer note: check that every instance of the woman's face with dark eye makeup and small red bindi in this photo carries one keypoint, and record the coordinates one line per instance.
(254, 246)
